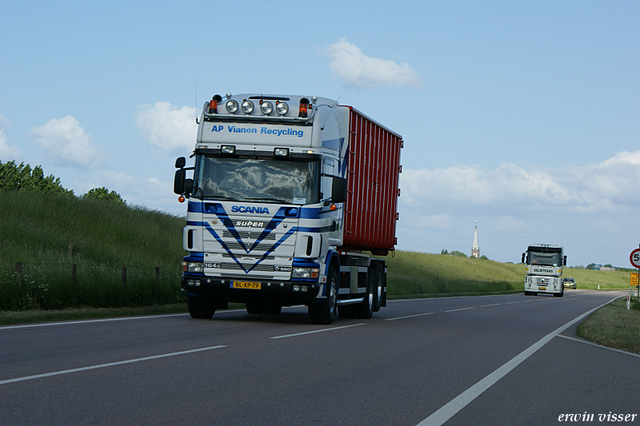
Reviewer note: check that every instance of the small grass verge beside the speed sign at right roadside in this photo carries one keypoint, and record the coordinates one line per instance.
(613, 326)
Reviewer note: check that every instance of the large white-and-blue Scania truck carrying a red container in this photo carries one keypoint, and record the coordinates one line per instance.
(290, 201)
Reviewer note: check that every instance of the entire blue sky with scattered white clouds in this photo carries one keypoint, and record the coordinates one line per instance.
(524, 116)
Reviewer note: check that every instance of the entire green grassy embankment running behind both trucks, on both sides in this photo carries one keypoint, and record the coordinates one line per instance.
(45, 235)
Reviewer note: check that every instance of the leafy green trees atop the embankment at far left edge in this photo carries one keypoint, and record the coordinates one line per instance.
(23, 178)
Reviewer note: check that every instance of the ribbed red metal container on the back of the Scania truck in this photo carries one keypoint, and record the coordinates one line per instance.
(373, 169)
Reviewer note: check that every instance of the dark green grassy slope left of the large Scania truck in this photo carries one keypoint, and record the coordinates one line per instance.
(47, 234)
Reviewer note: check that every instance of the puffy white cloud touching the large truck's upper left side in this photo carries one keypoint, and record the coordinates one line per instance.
(168, 127)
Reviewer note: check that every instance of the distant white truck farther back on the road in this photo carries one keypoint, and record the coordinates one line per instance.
(544, 264)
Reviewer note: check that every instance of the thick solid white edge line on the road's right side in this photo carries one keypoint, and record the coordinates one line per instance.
(465, 398)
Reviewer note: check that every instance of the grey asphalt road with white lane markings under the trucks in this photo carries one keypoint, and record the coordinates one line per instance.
(492, 360)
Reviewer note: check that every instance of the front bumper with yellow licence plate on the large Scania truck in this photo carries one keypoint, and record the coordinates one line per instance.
(286, 293)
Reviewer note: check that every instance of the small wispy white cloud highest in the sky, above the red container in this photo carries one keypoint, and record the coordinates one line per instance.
(354, 68)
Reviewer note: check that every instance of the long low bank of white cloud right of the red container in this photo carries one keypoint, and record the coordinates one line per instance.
(603, 187)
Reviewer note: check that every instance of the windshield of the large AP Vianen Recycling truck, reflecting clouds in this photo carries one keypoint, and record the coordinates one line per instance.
(257, 179)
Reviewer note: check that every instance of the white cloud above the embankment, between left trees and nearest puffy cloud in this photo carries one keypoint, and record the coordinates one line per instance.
(66, 143)
